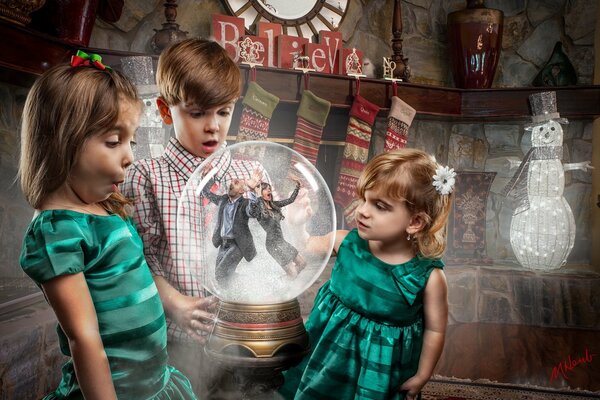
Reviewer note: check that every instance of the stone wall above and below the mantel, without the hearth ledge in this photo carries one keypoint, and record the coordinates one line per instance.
(478, 146)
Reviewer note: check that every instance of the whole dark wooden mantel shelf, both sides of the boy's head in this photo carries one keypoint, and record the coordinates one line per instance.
(24, 51)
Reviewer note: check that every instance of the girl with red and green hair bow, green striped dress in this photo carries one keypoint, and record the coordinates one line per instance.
(79, 124)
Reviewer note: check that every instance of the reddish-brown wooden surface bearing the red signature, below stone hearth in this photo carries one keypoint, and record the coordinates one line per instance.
(523, 355)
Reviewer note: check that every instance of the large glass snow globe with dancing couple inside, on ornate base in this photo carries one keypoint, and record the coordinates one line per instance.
(244, 222)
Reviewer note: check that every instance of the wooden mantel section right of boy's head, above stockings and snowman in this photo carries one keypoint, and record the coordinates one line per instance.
(499, 104)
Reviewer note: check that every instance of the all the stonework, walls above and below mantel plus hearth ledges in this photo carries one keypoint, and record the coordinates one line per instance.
(503, 292)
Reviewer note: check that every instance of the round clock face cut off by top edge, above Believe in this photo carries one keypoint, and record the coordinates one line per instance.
(303, 18)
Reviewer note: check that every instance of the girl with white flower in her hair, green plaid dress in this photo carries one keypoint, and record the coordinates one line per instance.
(377, 326)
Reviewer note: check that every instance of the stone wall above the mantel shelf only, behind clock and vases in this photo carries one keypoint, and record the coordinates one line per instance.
(531, 29)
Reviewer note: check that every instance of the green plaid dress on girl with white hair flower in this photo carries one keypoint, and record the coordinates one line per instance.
(366, 328)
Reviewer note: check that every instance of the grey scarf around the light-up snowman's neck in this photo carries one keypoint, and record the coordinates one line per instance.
(516, 189)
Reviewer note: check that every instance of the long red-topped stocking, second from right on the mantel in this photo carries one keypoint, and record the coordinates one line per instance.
(356, 154)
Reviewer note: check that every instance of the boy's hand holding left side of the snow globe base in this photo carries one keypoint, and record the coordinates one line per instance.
(195, 316)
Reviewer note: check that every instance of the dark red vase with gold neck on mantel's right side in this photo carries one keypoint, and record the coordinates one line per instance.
(475, 41)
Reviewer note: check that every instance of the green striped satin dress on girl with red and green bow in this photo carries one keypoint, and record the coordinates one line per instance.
(108, 250)
